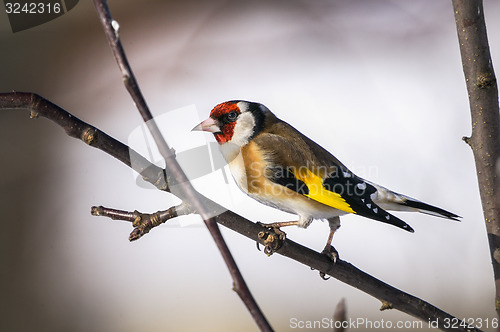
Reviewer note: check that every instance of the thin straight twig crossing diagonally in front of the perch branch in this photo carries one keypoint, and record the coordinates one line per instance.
(187, 192)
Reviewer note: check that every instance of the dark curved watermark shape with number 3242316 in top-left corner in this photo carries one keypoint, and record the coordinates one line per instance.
(28, 14)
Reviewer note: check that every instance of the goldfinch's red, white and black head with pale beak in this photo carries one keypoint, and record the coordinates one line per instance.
(235, 121)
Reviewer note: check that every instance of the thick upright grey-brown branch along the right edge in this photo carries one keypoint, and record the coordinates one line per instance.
(483, 99)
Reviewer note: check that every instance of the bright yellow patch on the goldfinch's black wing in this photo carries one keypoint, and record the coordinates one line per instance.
(318, 192)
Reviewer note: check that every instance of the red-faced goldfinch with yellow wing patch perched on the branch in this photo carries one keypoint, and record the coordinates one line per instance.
(278, 166)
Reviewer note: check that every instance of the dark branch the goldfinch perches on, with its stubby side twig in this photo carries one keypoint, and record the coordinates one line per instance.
(343, 271)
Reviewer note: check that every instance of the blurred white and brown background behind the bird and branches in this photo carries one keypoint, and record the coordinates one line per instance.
(377, 83)
